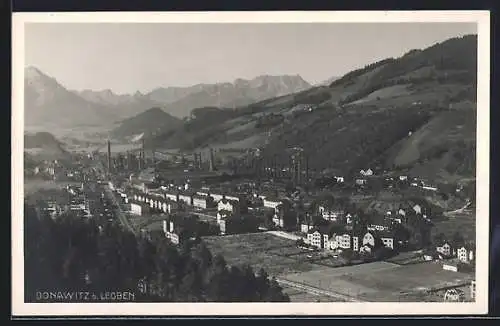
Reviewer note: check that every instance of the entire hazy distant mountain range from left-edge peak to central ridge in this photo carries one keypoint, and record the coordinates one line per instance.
(47, 102)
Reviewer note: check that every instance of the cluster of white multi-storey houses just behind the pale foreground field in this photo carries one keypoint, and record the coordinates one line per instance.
(331, 227)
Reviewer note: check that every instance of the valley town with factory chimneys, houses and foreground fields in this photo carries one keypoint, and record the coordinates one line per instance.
(318, 234)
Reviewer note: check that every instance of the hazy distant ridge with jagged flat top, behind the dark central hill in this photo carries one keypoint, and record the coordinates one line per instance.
(237, 94)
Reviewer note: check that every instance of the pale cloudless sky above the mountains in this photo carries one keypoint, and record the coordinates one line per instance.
(131, 57)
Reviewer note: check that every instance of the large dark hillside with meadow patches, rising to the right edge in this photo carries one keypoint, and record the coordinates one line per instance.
(364, 118)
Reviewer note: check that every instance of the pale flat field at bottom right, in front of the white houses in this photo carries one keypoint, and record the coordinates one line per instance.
(380, 281)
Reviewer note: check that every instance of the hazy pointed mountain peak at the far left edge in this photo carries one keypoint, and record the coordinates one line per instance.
(46, 102)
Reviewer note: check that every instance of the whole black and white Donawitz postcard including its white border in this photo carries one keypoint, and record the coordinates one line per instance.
(297, 161)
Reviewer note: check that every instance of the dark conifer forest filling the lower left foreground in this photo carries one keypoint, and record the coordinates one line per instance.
(73, 255)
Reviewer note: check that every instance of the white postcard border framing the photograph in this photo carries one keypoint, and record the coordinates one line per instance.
(19, 308)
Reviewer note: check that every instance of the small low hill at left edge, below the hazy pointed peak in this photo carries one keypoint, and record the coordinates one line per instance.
(43, 146)
